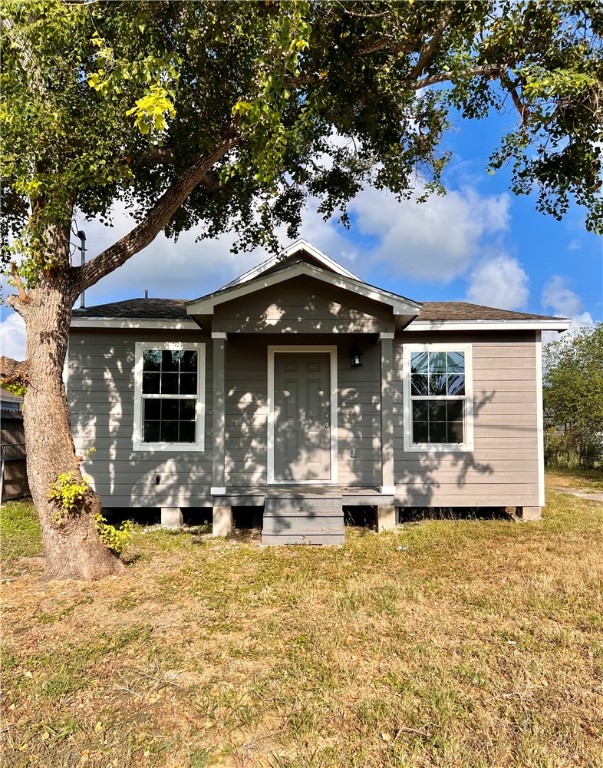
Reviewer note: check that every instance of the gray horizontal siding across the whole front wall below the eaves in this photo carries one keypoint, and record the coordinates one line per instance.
(502, 470)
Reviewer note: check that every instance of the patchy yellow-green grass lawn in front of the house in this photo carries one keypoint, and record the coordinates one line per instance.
(479, 643)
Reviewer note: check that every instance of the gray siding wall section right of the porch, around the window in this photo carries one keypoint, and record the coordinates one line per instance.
(503, 468)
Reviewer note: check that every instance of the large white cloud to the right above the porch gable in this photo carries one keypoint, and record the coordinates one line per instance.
(436, 240)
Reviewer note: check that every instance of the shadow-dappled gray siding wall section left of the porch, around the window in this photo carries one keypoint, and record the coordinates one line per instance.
(100, 391)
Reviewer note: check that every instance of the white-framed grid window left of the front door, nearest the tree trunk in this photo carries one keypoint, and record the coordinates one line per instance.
(169, 405)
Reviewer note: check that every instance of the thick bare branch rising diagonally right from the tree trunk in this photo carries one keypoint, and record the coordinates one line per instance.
(155, 220)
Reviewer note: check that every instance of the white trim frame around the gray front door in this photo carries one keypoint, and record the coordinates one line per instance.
(332, 350)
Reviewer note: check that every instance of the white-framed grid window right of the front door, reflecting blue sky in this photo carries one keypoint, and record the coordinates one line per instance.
(438, 397)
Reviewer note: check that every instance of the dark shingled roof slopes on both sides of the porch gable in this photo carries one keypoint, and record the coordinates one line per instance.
(175, 309)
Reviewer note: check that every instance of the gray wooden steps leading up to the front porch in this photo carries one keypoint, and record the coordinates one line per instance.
(303, 519)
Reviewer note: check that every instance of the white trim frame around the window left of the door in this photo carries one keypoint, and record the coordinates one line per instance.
(199, 444)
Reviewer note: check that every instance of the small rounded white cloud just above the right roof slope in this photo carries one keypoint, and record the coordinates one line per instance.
(499, 282)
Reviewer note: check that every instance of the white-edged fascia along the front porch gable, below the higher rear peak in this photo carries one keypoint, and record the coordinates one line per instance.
(207, 305)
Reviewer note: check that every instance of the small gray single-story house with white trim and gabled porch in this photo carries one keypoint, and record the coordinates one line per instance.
(300, 389)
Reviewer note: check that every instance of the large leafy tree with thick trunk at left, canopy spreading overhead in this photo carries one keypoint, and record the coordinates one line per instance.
(229, 116)
